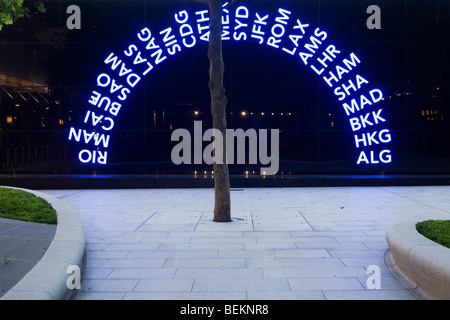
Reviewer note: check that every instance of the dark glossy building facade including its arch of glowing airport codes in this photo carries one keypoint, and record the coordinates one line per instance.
(49, 74)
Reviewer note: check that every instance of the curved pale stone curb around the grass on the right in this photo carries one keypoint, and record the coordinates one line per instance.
(423, 263)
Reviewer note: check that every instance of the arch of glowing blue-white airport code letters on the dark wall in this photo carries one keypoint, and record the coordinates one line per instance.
(125, 69)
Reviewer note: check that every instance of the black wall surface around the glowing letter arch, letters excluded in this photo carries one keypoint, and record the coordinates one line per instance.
(49, 72)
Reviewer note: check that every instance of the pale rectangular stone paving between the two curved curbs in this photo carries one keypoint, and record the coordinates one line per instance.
(283, 243)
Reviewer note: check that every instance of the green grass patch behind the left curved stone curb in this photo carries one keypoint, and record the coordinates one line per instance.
(21, 205)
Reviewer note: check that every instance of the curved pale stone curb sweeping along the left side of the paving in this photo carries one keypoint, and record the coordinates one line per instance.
(48, 278)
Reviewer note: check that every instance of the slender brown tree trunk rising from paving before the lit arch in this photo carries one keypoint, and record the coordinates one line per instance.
(222, 211)
